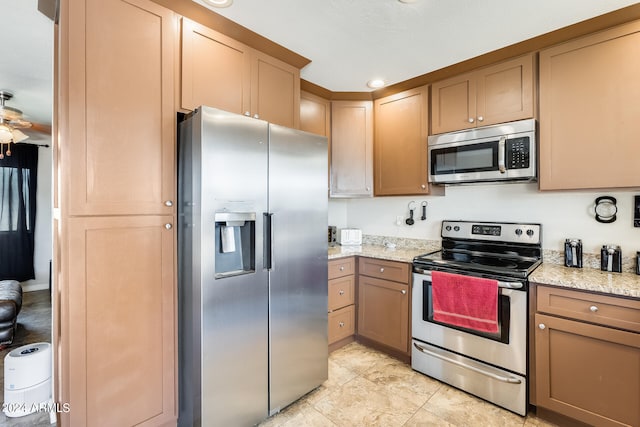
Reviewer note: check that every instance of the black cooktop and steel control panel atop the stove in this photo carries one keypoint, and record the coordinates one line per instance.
(505, 249)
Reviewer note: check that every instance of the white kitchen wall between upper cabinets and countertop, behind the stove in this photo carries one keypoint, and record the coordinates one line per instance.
(562, 214)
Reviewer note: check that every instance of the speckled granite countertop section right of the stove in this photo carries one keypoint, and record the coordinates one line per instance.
(587, 279)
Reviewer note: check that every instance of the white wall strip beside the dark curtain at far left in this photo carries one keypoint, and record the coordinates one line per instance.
(43, 232)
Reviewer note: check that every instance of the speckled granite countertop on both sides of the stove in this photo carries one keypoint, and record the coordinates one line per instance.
(549, 273)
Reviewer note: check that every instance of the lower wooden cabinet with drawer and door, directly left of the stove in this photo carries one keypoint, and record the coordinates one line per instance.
(383, 304)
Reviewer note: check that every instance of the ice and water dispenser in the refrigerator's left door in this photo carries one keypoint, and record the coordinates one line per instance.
(235, 243)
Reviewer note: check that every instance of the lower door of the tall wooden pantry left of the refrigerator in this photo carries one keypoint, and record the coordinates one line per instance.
(120, 336)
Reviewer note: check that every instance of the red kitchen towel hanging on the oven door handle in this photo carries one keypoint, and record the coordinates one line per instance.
(465, 301)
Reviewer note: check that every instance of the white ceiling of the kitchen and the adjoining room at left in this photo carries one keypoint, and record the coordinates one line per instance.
(348, 41)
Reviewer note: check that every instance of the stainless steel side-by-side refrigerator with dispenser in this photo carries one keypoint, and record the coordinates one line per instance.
(252, 267)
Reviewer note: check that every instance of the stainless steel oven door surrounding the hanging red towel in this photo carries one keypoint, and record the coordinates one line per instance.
(507, 349)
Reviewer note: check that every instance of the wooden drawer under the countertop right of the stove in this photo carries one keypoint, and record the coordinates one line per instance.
(601, 309)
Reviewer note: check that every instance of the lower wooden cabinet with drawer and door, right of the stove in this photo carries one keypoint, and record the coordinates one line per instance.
(585, 368)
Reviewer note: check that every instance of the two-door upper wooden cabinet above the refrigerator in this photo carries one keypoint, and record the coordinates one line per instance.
(221, 72)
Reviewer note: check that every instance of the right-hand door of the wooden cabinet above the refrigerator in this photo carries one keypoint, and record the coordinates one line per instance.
(275, 90)
